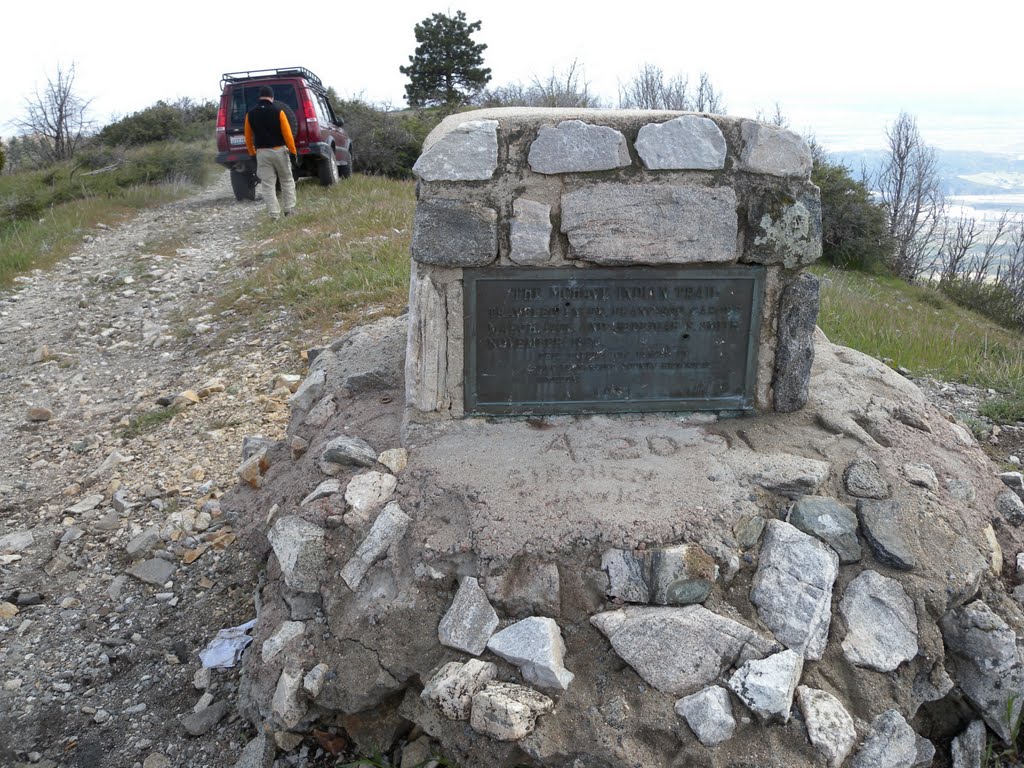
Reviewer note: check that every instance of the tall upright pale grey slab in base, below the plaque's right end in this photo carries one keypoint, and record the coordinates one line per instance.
(793, 588)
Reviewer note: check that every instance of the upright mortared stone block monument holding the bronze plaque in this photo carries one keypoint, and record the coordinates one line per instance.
(589, 262)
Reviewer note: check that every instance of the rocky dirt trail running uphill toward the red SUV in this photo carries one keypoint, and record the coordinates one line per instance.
(97, 666)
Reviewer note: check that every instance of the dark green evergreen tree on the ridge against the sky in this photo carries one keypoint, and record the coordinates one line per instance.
(447, 68)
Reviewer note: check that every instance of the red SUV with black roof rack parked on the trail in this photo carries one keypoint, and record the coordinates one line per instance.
(325, 150)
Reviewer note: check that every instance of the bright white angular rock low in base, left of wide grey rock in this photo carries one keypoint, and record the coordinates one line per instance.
(536, 647)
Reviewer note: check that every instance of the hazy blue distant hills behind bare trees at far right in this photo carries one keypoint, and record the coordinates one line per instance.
(963, 173)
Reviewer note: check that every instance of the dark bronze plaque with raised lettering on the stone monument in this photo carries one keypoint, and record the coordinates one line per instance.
(571, 342)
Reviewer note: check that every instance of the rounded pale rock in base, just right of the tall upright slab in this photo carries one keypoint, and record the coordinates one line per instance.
(882, 624)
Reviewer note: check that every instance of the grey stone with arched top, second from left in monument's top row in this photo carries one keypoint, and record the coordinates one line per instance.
(575, 147)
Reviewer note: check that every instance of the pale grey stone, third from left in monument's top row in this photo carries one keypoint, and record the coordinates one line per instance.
(687, 143)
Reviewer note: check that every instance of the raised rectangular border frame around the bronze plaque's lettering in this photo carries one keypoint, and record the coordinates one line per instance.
(741, 404)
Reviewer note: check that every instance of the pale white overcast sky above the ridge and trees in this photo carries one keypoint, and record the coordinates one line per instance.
(840, 71)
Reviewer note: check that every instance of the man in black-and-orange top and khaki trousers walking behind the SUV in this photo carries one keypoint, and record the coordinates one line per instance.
(269, 138)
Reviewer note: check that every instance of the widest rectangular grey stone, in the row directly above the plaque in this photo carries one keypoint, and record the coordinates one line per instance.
(651, 225)
